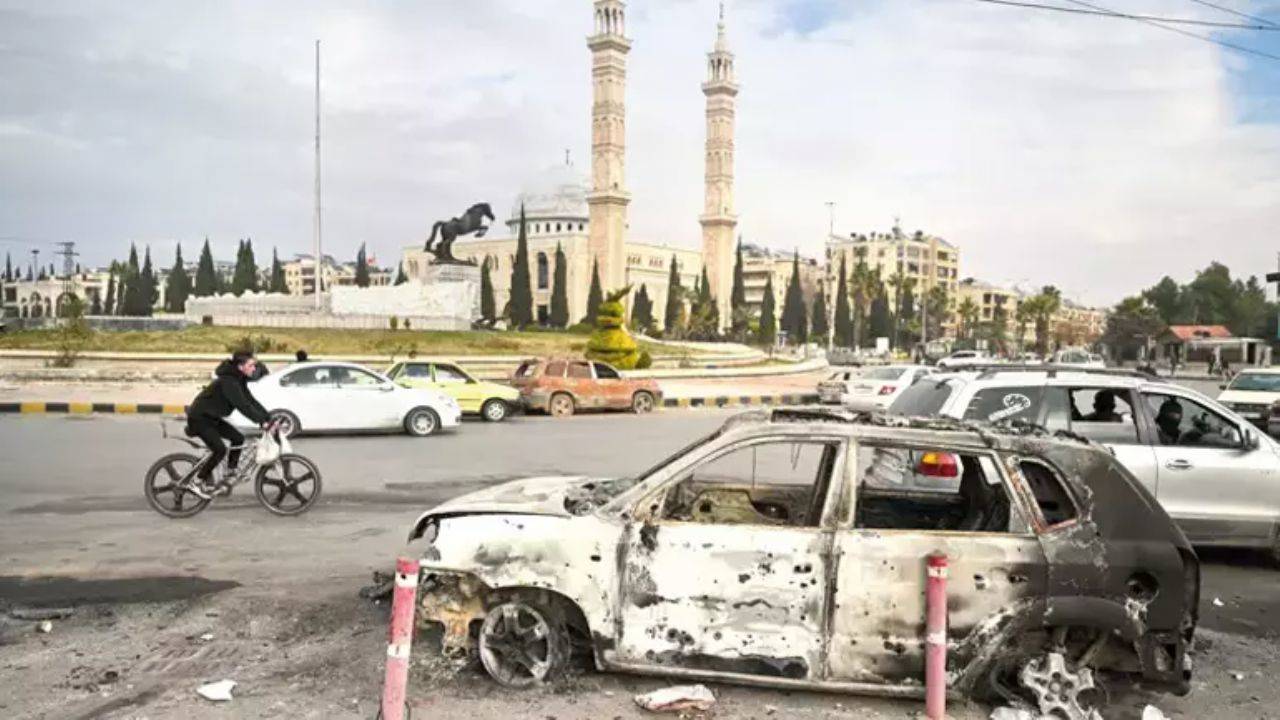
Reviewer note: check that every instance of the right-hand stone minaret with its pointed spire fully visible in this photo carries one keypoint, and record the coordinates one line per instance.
(719, 220)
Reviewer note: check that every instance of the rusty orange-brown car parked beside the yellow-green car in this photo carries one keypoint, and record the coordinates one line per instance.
(563, 386)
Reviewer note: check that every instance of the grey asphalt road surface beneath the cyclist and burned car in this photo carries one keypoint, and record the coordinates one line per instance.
(72, 512)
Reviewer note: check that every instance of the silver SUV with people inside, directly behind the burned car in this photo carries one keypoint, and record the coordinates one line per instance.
(1212, 470)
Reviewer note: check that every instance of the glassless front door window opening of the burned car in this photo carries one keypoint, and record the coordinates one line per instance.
(771, 484)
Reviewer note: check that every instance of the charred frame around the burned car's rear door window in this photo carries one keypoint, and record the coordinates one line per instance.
(990, 461)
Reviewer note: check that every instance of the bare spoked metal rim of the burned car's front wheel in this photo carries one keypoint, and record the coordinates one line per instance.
(516, 645)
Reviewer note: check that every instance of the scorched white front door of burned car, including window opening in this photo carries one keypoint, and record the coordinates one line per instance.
(729, 573)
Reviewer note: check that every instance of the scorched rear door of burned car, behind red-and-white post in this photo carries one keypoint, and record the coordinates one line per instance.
(879, 608)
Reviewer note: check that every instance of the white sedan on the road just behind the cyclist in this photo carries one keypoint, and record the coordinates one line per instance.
(345, 397)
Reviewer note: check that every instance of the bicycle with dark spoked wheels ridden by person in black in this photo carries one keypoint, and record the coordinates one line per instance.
(295, 480)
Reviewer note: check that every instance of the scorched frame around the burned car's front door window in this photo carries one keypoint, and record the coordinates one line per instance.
(648, 503)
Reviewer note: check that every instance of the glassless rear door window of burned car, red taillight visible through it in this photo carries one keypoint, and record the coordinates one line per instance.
(916, 490)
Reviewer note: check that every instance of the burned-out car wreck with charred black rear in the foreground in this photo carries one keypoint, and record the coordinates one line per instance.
(788, 549)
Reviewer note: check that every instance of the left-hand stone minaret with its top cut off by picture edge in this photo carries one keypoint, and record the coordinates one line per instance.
(609, 198)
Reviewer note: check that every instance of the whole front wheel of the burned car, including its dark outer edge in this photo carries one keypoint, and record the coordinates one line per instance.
(524, 644)
